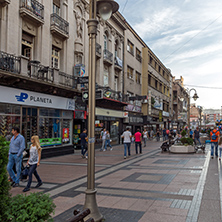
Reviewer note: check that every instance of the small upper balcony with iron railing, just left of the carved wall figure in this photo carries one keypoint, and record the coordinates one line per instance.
(59, 26)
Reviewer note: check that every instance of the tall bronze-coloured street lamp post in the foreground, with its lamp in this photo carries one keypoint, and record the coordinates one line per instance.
(105, 8)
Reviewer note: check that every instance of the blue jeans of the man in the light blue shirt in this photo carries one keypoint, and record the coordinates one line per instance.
(17, 160)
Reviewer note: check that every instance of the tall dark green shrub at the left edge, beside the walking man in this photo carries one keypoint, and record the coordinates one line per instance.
(4, 184)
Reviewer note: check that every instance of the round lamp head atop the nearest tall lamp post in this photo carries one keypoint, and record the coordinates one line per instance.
(105, 8)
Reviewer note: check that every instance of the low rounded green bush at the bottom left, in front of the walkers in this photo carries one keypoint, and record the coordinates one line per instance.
(35, 207)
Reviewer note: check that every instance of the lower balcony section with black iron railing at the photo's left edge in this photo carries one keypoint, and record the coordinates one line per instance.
(10, 63)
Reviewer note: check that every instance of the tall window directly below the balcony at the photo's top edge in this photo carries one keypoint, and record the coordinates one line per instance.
(27, 45)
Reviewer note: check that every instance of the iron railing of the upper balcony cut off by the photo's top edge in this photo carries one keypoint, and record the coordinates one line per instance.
(34, 6)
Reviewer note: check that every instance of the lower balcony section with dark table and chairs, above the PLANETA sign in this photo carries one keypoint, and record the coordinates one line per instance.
(40, 72)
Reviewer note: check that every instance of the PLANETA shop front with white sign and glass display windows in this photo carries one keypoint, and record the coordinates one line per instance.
(49, 117)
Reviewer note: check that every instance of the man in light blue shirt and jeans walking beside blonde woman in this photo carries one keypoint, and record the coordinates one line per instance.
(17, 145)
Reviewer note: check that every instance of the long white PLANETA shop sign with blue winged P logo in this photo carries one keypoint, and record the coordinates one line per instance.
(28, 98)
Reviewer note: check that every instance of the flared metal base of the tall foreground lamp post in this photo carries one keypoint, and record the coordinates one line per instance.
(90, 202)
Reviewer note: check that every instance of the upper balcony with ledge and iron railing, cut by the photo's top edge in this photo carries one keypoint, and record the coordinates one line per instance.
(32, 10)
